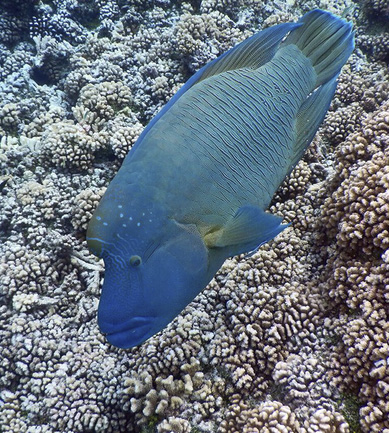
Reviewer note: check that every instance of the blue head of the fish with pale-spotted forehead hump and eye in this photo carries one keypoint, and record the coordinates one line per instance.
(154, 266)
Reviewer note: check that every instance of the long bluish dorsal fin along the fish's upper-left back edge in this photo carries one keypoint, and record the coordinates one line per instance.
(251, 53)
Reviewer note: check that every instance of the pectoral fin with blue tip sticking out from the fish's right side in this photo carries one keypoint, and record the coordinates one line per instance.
(246, 231)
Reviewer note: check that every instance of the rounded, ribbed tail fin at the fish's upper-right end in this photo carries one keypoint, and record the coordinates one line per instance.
(326, 40)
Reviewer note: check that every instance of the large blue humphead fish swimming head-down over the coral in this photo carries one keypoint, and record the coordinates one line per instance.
(194, 188)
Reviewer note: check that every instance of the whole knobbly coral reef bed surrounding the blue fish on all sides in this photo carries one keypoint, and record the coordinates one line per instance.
(291, 339)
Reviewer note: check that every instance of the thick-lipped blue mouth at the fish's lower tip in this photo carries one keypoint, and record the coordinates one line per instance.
(130, 333)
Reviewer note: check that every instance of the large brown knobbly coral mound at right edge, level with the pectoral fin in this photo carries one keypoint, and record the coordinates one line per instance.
(358, 209)
